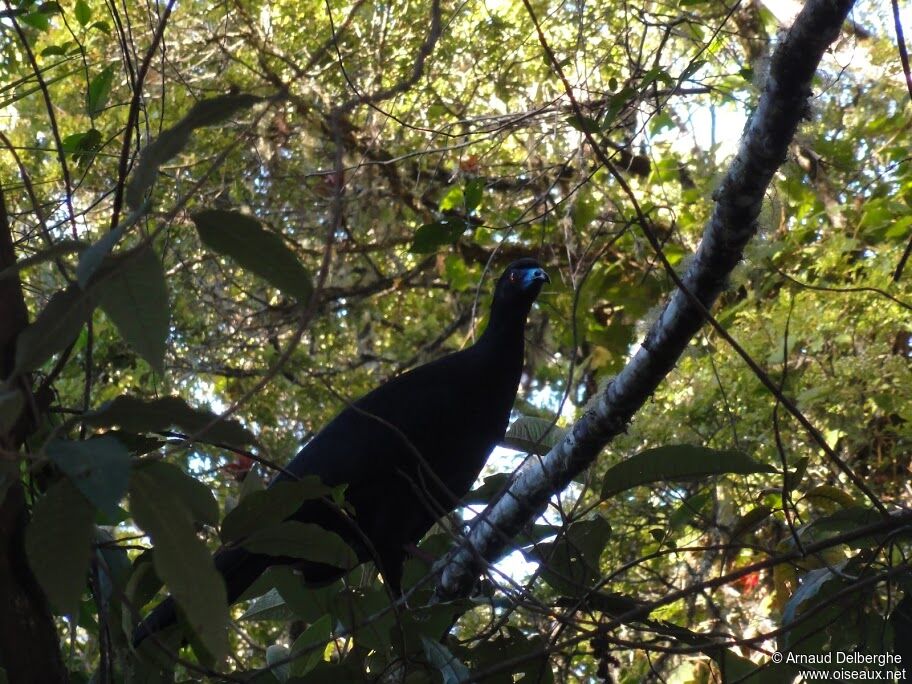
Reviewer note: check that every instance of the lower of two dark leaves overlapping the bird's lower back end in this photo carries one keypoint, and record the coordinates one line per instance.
(302, 540)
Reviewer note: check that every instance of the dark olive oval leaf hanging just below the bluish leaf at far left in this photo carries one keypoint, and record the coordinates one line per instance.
(58, 543)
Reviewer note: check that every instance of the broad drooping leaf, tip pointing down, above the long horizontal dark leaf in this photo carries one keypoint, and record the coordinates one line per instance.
(135, 298)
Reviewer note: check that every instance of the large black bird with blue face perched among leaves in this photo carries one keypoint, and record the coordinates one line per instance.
(407, 452)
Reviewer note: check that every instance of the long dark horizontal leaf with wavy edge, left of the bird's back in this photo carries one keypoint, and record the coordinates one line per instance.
(137, 415)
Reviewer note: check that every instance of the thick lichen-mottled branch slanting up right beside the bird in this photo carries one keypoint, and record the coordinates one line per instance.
(782, 105)
